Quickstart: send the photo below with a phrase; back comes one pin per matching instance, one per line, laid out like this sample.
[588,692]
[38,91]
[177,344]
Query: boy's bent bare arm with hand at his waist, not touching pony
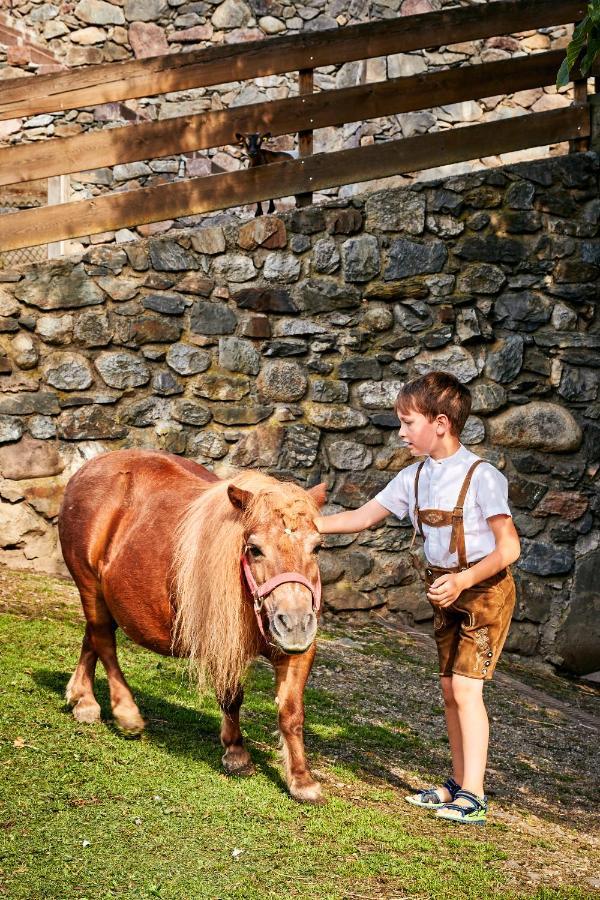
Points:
[446,589]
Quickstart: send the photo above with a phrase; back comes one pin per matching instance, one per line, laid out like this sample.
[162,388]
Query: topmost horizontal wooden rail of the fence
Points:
[109,82]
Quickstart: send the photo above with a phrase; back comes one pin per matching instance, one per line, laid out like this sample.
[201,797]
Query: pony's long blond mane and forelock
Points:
[214,623]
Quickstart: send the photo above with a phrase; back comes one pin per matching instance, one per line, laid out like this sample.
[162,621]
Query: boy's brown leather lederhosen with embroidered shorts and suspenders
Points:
[470,633]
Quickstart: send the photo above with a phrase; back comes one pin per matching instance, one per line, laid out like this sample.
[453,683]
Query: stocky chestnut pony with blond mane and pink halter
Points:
[162,548]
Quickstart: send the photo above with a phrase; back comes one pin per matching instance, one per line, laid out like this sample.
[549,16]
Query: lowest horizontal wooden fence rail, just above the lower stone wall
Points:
[324,170]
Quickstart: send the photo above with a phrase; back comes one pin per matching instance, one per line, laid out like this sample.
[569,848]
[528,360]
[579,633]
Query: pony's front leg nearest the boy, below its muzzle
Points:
[291,675]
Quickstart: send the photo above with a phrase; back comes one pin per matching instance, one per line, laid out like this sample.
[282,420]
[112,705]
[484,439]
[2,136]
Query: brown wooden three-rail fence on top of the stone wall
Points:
[302,114]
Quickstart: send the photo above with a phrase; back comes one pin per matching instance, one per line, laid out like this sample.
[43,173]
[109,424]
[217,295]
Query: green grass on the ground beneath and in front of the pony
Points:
[86,813]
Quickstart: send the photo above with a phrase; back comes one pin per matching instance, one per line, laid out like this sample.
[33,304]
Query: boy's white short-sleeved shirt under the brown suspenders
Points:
[439,486]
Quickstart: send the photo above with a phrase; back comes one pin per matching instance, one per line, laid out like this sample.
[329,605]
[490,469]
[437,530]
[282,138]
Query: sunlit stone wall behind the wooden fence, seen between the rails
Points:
[94,31]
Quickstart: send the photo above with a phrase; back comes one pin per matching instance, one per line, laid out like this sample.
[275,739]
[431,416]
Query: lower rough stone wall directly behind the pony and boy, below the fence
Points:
[281,343]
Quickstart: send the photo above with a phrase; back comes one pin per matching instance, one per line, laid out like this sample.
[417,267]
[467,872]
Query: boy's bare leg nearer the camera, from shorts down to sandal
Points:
[474,730]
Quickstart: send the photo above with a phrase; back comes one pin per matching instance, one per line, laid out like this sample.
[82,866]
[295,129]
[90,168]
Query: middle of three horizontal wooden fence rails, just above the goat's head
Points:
[184,134]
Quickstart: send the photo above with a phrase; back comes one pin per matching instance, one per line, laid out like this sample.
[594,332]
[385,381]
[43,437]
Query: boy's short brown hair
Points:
[435,394]
